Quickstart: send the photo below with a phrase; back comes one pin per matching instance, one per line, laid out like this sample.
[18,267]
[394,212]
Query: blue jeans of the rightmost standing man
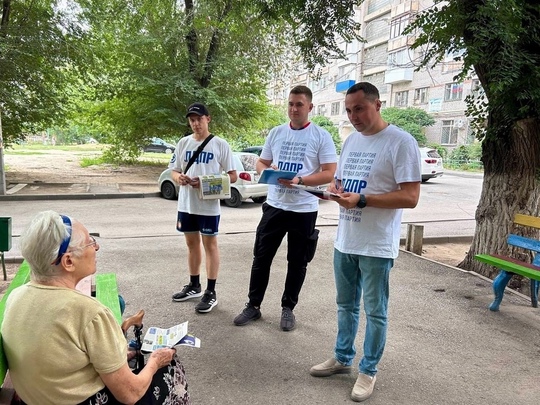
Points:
[355,275]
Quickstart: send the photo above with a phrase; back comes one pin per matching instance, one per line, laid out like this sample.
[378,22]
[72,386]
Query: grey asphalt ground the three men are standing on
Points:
[444,346]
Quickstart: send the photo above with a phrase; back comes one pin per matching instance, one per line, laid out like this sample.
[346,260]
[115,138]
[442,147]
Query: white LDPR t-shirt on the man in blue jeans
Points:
[375,164]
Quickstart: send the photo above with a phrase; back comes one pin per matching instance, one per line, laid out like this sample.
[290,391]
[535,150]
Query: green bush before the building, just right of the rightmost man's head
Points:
[413,120]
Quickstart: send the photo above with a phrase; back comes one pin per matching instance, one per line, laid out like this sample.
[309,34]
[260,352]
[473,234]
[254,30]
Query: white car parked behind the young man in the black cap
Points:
[245,187]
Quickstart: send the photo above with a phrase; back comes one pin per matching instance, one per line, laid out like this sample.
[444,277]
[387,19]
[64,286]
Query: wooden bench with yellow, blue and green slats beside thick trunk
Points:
[509,266]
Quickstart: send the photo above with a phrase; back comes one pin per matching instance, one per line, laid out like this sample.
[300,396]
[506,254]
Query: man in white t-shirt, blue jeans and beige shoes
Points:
[378,175]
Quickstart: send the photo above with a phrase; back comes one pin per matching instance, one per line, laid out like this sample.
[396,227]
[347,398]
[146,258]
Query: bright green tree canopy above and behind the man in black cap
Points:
[123,71]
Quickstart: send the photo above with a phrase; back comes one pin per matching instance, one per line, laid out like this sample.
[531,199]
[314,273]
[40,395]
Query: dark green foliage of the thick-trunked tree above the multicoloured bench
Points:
[500,40]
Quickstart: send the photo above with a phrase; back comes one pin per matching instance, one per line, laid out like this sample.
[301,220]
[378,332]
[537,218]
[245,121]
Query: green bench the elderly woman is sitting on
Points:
[106,290]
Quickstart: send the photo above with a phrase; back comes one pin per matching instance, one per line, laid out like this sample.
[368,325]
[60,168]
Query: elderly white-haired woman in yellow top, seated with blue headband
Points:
[64,347]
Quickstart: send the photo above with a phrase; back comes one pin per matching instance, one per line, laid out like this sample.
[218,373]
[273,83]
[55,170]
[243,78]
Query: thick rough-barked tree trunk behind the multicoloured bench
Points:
[511,185]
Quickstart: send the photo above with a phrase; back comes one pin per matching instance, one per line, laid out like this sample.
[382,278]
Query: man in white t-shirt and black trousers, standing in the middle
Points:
[308,150]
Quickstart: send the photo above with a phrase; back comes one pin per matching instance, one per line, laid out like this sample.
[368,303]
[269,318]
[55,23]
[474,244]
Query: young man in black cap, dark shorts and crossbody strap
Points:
[198,219]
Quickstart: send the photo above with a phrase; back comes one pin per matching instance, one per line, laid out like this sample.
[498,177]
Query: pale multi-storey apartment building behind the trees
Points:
[387,61]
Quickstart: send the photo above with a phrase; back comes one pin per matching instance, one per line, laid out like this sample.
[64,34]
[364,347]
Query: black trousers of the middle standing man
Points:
[301,241]
